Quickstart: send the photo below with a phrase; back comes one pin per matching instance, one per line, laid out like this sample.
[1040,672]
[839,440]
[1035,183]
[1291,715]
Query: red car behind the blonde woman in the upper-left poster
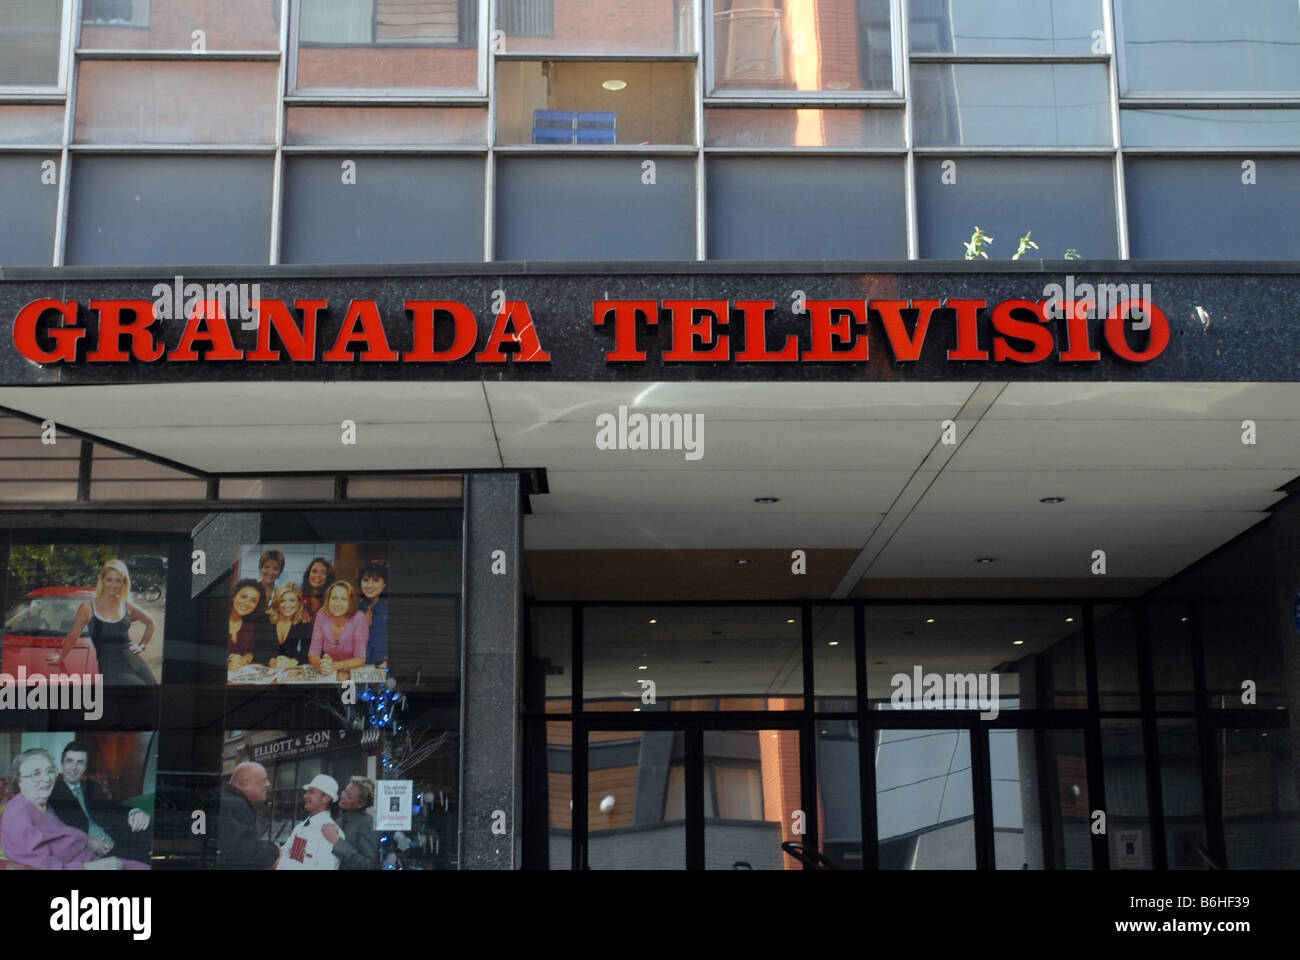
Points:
[37,626]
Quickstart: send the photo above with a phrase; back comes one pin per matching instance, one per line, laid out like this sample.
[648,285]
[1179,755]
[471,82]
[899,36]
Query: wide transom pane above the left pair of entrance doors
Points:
[713,658]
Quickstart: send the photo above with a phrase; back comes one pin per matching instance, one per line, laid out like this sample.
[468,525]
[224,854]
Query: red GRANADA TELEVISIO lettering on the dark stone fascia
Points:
[709,331]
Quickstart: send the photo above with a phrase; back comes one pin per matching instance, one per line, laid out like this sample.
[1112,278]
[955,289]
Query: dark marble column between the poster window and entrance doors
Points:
[492,681]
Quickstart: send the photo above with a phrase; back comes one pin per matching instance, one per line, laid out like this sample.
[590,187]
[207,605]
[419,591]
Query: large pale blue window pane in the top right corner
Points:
[1208,47]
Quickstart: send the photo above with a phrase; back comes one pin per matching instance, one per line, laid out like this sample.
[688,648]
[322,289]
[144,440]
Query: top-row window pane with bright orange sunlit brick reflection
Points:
[803,46]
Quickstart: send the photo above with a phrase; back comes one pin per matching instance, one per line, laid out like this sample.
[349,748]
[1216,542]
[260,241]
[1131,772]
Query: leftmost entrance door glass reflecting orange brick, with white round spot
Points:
[636,802]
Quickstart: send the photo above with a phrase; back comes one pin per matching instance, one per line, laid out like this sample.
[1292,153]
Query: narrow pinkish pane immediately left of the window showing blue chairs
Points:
[415,127]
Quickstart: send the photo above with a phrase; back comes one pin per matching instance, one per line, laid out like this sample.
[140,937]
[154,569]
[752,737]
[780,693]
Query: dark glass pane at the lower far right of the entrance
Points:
[1259,803]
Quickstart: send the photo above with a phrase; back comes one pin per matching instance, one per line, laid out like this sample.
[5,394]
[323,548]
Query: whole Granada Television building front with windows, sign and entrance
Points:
[661,435]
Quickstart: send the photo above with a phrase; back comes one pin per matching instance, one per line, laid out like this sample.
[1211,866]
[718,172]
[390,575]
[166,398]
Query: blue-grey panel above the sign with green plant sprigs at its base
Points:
[1065,202]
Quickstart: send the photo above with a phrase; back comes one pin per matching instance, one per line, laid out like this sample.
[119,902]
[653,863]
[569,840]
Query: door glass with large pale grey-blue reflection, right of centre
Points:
[925,811]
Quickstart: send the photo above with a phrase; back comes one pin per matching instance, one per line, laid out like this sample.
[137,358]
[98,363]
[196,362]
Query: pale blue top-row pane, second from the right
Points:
[1003,27]
